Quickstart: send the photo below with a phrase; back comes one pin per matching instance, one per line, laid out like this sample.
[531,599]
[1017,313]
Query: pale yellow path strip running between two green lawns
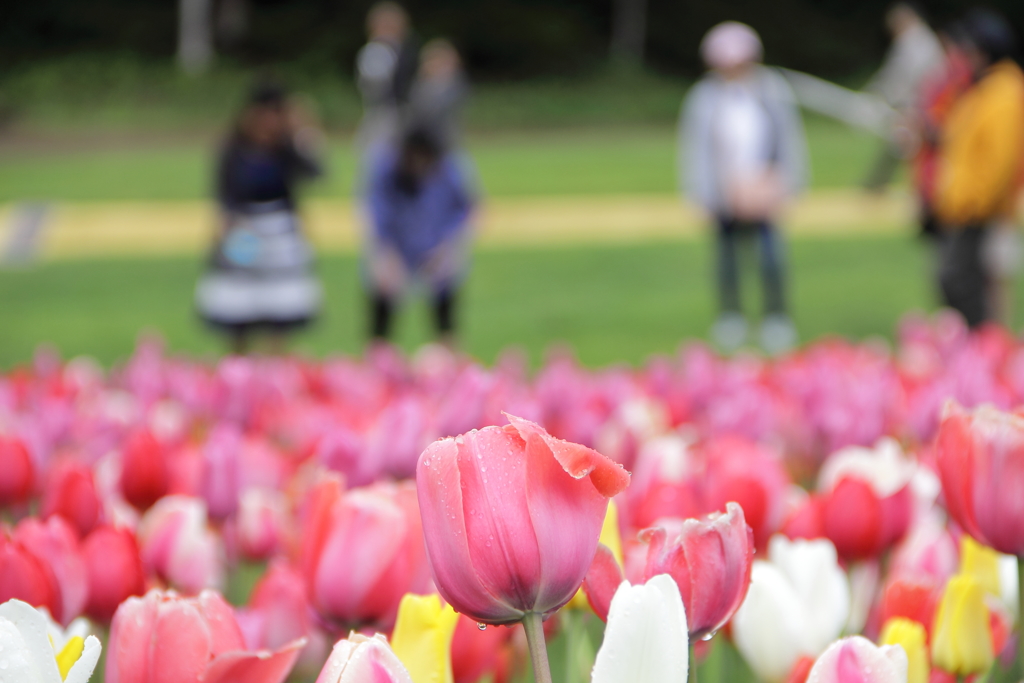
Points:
[82,230]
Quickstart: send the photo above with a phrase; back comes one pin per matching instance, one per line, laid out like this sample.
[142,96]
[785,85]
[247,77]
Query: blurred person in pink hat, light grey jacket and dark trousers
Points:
[743,157]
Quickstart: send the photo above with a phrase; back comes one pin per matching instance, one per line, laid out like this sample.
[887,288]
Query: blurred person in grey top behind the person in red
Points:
[915,55]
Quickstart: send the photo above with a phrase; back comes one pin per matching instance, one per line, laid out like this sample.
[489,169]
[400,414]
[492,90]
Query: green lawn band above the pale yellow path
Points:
[600,160]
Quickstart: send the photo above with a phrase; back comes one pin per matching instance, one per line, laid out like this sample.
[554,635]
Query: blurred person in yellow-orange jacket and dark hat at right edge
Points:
[980,164]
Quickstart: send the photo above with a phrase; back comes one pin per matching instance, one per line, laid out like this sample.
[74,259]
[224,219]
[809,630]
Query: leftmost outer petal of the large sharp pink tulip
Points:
[440,491]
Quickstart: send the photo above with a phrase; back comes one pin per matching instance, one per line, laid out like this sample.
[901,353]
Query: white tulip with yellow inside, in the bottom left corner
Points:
[28,656]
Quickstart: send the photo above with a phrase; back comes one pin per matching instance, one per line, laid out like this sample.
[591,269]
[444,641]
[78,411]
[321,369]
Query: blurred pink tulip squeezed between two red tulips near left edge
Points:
[56,544]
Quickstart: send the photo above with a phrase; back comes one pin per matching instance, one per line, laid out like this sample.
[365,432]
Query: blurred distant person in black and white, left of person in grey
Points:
[387,69]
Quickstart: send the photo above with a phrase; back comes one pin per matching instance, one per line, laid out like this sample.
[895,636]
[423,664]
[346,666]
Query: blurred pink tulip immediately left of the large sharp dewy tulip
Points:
[363,550]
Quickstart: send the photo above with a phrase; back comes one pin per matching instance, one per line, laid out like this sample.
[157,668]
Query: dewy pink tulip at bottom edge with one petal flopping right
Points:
[163,638]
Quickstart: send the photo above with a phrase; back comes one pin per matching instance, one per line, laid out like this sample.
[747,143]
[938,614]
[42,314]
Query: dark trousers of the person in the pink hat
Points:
[732,235]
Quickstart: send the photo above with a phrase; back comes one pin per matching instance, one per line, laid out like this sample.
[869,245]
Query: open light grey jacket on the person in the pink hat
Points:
[699,169]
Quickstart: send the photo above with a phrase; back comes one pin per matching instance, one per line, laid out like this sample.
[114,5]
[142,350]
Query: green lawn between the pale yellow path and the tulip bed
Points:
[612,304]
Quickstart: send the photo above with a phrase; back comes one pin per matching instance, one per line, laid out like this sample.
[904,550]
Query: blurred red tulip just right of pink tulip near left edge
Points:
[114,569]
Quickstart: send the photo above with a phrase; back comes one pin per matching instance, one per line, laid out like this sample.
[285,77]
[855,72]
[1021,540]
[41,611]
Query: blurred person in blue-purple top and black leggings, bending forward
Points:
[420,202]
